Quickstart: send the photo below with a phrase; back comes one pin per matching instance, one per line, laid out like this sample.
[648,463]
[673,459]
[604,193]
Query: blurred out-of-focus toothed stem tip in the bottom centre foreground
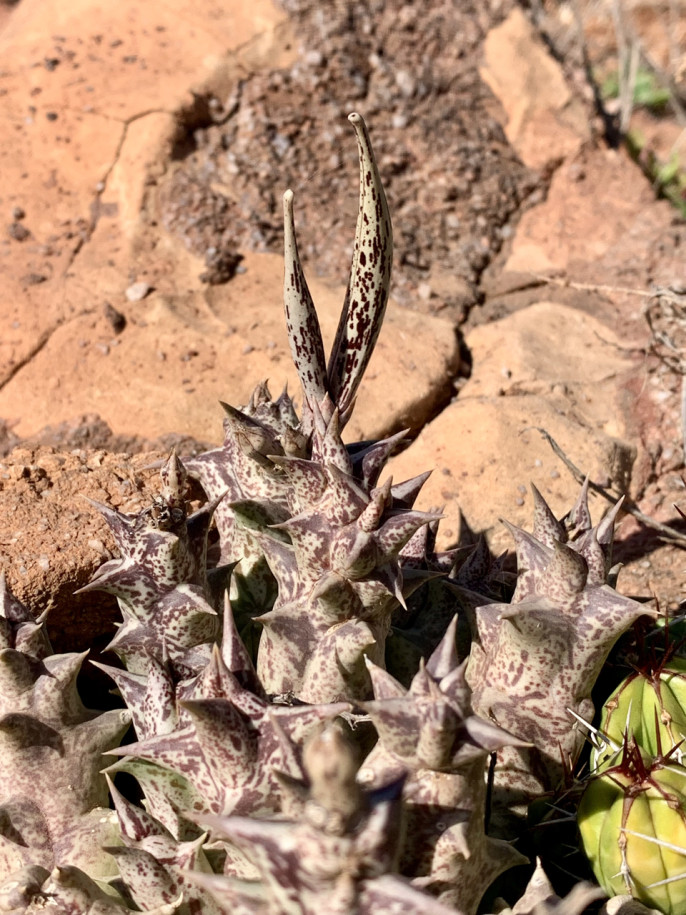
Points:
[336,857]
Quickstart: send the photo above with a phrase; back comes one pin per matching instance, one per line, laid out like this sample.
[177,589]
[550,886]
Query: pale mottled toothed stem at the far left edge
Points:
[53,801]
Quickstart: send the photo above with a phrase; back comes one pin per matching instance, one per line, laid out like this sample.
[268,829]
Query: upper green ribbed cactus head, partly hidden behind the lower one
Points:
[649,707]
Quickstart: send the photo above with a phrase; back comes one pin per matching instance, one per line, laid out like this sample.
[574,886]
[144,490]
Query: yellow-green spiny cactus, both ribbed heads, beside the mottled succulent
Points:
[632,817]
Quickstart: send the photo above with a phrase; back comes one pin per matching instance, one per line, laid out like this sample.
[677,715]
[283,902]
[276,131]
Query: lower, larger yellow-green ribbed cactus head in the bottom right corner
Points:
[632,820]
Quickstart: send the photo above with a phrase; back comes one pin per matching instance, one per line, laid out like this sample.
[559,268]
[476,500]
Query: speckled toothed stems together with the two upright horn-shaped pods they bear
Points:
[331,537]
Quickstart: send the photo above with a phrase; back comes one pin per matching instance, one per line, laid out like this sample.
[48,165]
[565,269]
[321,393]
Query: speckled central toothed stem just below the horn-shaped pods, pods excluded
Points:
[339,581]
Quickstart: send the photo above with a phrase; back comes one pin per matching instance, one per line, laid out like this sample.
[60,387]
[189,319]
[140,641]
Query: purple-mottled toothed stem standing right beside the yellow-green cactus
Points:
[534,661]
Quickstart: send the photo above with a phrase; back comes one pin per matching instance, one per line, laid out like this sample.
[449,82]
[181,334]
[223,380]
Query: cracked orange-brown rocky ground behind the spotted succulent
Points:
[141,170]
